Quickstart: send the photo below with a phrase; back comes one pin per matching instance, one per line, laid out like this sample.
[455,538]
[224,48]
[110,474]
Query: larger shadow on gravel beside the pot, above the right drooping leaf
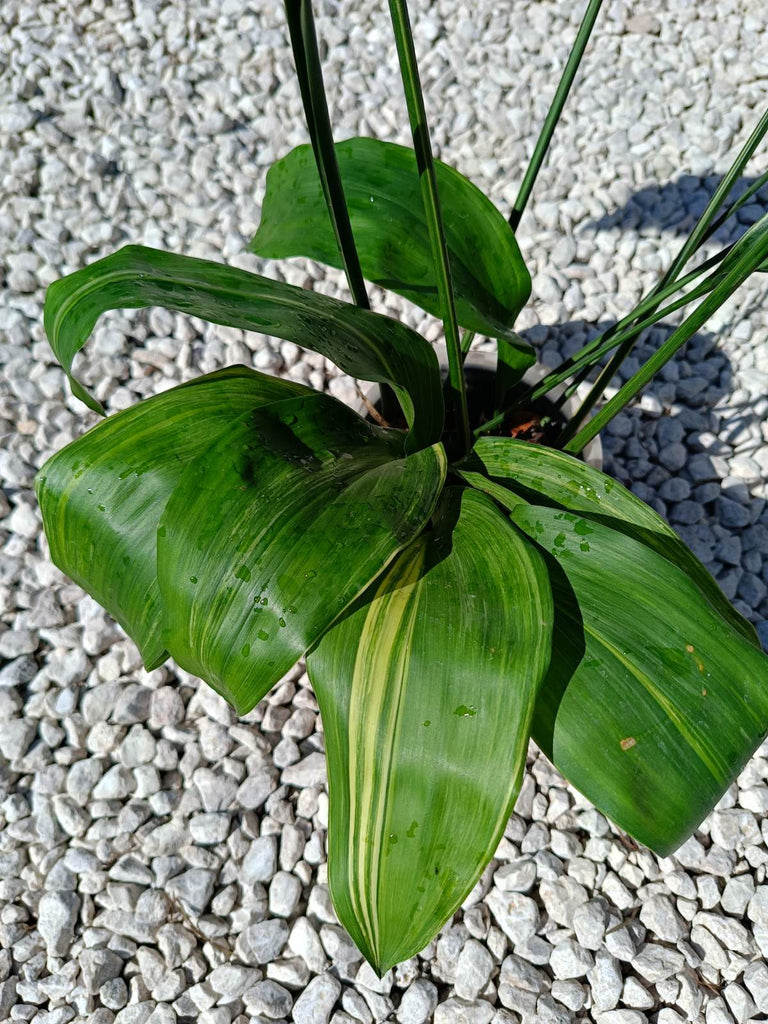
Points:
[690,450]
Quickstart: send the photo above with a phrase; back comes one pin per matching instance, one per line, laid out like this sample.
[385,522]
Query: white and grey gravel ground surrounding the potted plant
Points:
[162,861]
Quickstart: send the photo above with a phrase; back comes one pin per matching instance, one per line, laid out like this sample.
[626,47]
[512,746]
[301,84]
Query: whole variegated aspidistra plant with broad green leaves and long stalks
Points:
[455,590]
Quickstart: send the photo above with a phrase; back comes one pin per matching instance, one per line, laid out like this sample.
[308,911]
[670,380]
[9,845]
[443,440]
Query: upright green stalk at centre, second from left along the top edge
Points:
[423,148]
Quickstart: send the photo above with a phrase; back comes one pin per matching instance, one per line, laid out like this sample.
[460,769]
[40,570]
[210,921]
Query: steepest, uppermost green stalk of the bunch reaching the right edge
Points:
[699,236]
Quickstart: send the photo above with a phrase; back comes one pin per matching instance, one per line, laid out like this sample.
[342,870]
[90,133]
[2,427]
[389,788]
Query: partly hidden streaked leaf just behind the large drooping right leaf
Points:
[536,473]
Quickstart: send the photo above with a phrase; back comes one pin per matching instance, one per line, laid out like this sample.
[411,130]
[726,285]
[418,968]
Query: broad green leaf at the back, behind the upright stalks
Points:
[381,184]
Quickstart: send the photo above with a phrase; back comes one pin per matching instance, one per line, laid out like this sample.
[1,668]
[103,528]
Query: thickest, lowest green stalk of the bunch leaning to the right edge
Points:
[748,255]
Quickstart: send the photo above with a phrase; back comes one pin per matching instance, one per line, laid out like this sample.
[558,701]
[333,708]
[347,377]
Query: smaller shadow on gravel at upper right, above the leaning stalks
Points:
[676,207]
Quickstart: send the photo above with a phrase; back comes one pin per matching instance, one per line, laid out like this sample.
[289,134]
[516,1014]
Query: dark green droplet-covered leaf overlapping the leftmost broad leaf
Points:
[276,529]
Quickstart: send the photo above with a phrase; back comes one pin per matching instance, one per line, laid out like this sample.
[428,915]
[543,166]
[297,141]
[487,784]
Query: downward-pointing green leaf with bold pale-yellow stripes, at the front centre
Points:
[426,690]
